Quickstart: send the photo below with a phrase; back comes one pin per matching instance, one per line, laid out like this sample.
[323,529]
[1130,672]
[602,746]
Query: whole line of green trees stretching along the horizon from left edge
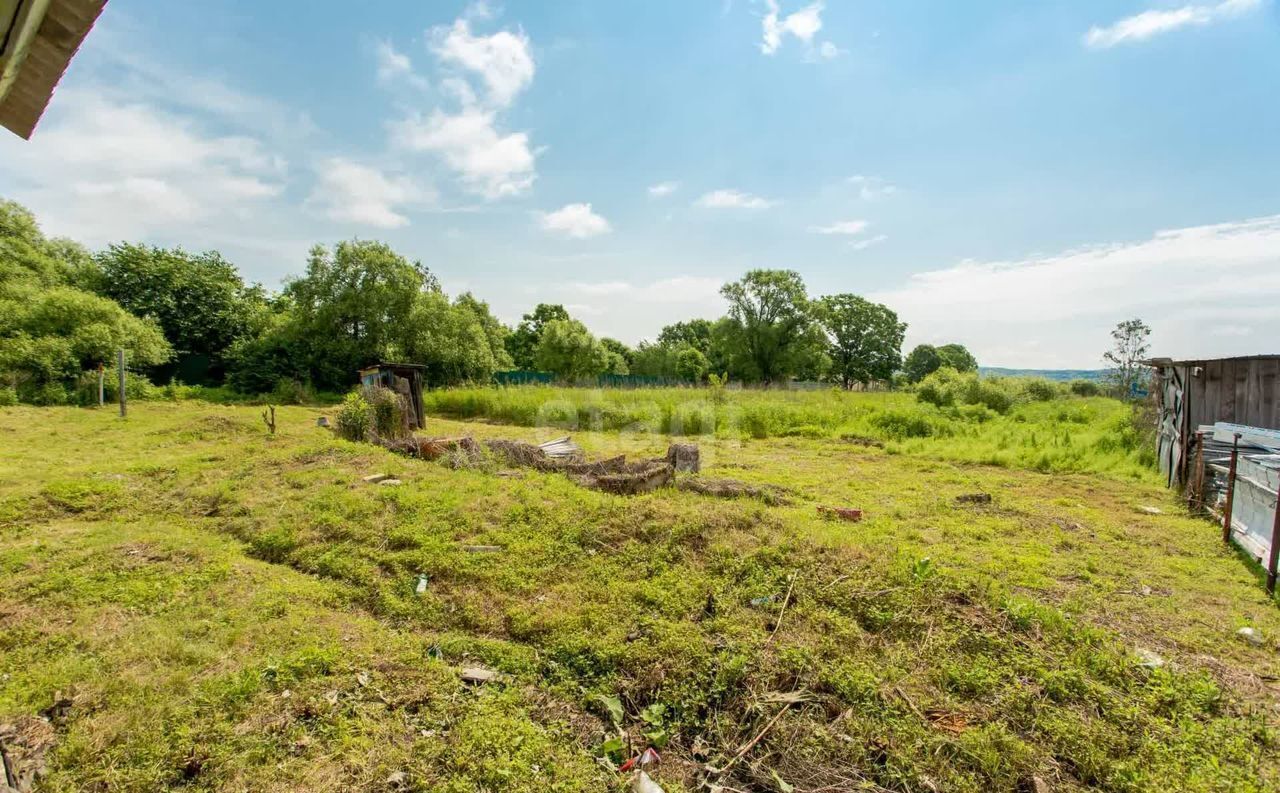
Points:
[190,317]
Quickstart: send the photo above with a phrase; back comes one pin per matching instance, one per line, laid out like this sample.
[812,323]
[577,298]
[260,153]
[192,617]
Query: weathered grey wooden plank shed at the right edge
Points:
[1192,393]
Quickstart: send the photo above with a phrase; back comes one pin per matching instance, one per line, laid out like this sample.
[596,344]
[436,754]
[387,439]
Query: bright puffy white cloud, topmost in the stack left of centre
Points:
[501,61]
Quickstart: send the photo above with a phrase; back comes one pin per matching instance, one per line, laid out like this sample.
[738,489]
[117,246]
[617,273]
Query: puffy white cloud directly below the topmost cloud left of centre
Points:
[490,163]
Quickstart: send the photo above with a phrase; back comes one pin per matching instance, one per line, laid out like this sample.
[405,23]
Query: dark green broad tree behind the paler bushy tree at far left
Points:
[199,300]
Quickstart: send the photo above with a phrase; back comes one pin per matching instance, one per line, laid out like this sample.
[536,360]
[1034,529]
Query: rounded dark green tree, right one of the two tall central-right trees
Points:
[865,340]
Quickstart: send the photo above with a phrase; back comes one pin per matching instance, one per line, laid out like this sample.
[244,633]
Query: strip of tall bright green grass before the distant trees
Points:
[1063,434]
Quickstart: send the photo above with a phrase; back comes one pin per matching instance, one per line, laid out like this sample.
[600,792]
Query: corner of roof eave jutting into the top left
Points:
[38,43]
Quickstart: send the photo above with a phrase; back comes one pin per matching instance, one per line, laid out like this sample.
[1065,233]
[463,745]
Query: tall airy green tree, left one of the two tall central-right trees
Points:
[770,333]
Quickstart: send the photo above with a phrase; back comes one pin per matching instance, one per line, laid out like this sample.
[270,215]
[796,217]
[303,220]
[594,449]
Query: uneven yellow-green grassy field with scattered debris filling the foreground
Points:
[199,606]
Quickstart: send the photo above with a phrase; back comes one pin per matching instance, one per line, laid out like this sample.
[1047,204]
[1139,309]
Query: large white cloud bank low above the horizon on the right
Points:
[1058,310]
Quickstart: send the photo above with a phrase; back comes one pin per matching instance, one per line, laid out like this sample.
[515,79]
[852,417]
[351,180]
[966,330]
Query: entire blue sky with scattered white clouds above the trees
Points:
[1017,177]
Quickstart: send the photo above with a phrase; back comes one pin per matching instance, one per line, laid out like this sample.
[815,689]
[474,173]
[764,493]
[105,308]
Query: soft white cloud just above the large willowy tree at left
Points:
[348,191]
